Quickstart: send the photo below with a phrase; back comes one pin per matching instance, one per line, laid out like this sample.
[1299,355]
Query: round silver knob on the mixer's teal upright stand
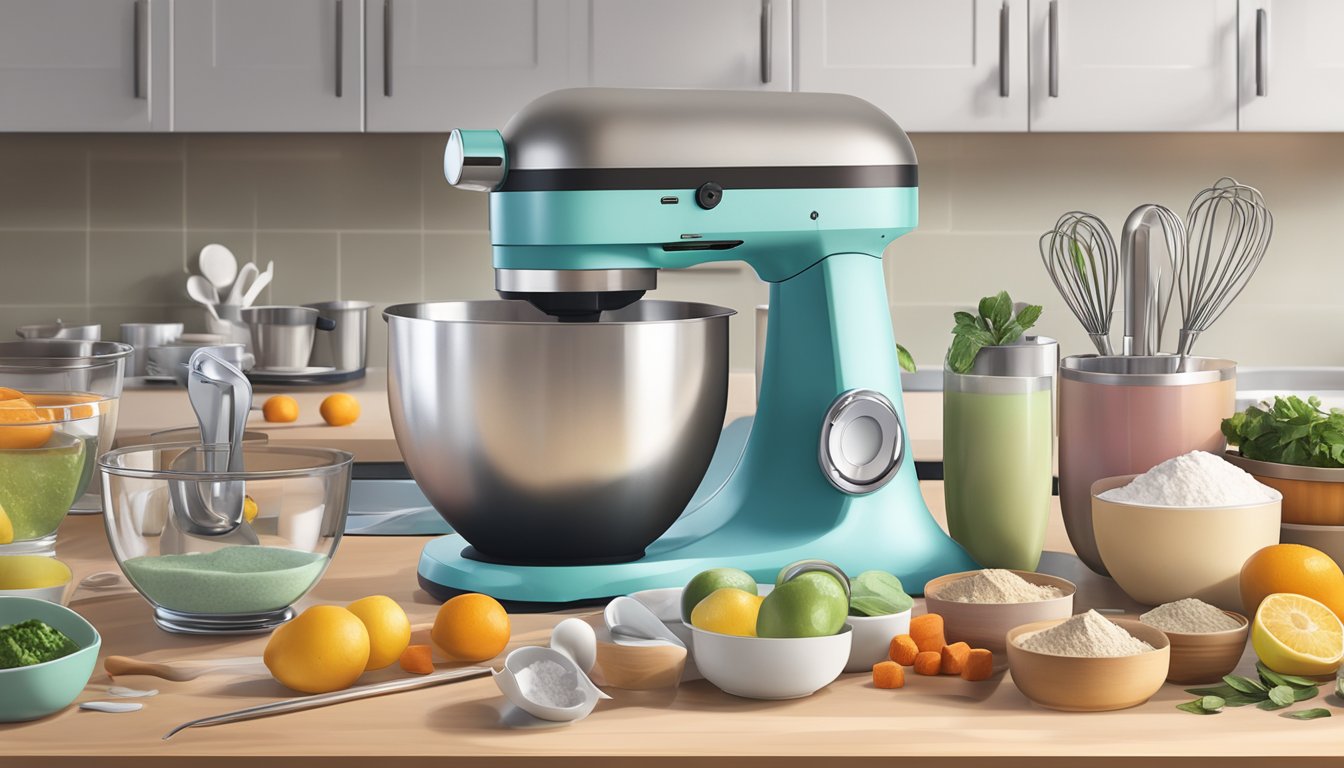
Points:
[862,442]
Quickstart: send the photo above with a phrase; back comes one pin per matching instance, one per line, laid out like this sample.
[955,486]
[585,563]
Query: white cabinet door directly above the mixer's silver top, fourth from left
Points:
[690,44]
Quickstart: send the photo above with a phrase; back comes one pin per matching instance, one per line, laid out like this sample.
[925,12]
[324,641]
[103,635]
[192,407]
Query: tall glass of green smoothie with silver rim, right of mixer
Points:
[998,453]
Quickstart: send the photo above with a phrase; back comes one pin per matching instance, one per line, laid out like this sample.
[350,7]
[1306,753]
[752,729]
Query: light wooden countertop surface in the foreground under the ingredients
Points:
[932,722]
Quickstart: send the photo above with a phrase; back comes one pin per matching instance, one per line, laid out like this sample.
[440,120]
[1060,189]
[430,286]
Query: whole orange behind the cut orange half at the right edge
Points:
[1296,570]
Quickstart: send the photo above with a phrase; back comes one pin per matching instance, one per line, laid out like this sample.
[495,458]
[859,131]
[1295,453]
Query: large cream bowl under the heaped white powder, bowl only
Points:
[1162,555]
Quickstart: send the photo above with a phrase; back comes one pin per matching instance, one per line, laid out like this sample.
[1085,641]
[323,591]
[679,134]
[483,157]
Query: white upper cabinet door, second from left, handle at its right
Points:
[268,65]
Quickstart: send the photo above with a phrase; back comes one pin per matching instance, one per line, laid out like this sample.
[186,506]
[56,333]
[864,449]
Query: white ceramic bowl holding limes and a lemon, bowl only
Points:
[771,668]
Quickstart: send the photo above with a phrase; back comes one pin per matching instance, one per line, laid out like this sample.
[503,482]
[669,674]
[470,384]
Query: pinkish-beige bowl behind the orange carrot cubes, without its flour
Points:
[986,625]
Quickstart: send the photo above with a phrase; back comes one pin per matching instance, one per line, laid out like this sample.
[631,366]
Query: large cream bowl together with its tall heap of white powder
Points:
[1183,529]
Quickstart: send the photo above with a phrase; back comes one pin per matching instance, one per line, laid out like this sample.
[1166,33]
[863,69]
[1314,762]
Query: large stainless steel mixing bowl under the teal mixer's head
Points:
[558,443]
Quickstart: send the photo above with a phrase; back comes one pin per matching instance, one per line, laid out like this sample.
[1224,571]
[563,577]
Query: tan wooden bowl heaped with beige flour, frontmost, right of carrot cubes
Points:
[1089,662]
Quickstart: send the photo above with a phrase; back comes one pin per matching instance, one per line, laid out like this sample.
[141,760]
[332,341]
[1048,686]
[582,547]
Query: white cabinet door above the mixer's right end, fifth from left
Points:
[932,65]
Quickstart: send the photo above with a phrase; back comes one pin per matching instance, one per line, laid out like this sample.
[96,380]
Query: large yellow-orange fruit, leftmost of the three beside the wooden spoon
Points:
[325,649]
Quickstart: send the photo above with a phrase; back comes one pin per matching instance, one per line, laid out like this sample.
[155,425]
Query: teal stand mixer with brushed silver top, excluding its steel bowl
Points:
[596,190]
